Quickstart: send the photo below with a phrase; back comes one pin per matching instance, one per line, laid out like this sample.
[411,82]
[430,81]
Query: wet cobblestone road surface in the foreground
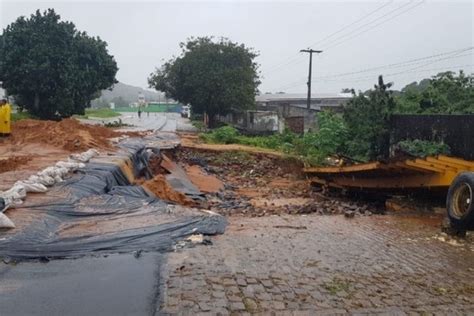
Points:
[318,265]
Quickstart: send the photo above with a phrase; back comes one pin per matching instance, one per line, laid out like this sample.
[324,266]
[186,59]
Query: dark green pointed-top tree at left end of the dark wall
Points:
[367,118]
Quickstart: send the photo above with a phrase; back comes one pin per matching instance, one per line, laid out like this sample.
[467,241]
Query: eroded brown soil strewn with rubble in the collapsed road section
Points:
[257,184]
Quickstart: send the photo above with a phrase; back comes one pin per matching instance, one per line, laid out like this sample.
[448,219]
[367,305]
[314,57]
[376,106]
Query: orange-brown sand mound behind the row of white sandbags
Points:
[68,134]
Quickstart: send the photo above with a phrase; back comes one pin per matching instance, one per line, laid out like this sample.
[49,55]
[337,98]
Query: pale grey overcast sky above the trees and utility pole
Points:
[355,36]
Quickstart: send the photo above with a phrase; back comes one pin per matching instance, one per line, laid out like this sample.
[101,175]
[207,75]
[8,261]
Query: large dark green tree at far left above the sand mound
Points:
[52,69]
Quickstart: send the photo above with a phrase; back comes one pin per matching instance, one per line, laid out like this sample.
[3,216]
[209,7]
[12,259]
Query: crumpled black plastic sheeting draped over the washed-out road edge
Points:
[98,196]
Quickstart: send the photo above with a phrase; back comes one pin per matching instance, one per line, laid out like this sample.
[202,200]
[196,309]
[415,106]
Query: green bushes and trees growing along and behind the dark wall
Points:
[361,133]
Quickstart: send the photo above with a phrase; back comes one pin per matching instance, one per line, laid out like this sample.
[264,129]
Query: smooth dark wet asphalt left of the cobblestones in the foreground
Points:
[113,285]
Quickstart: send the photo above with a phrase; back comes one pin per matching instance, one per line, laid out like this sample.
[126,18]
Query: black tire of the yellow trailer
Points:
[459,202]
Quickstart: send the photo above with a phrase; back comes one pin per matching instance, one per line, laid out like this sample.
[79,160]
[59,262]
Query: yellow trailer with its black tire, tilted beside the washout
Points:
[454,175]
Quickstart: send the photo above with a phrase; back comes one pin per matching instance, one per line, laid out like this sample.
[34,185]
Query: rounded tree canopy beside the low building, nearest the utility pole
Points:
[215,77]
